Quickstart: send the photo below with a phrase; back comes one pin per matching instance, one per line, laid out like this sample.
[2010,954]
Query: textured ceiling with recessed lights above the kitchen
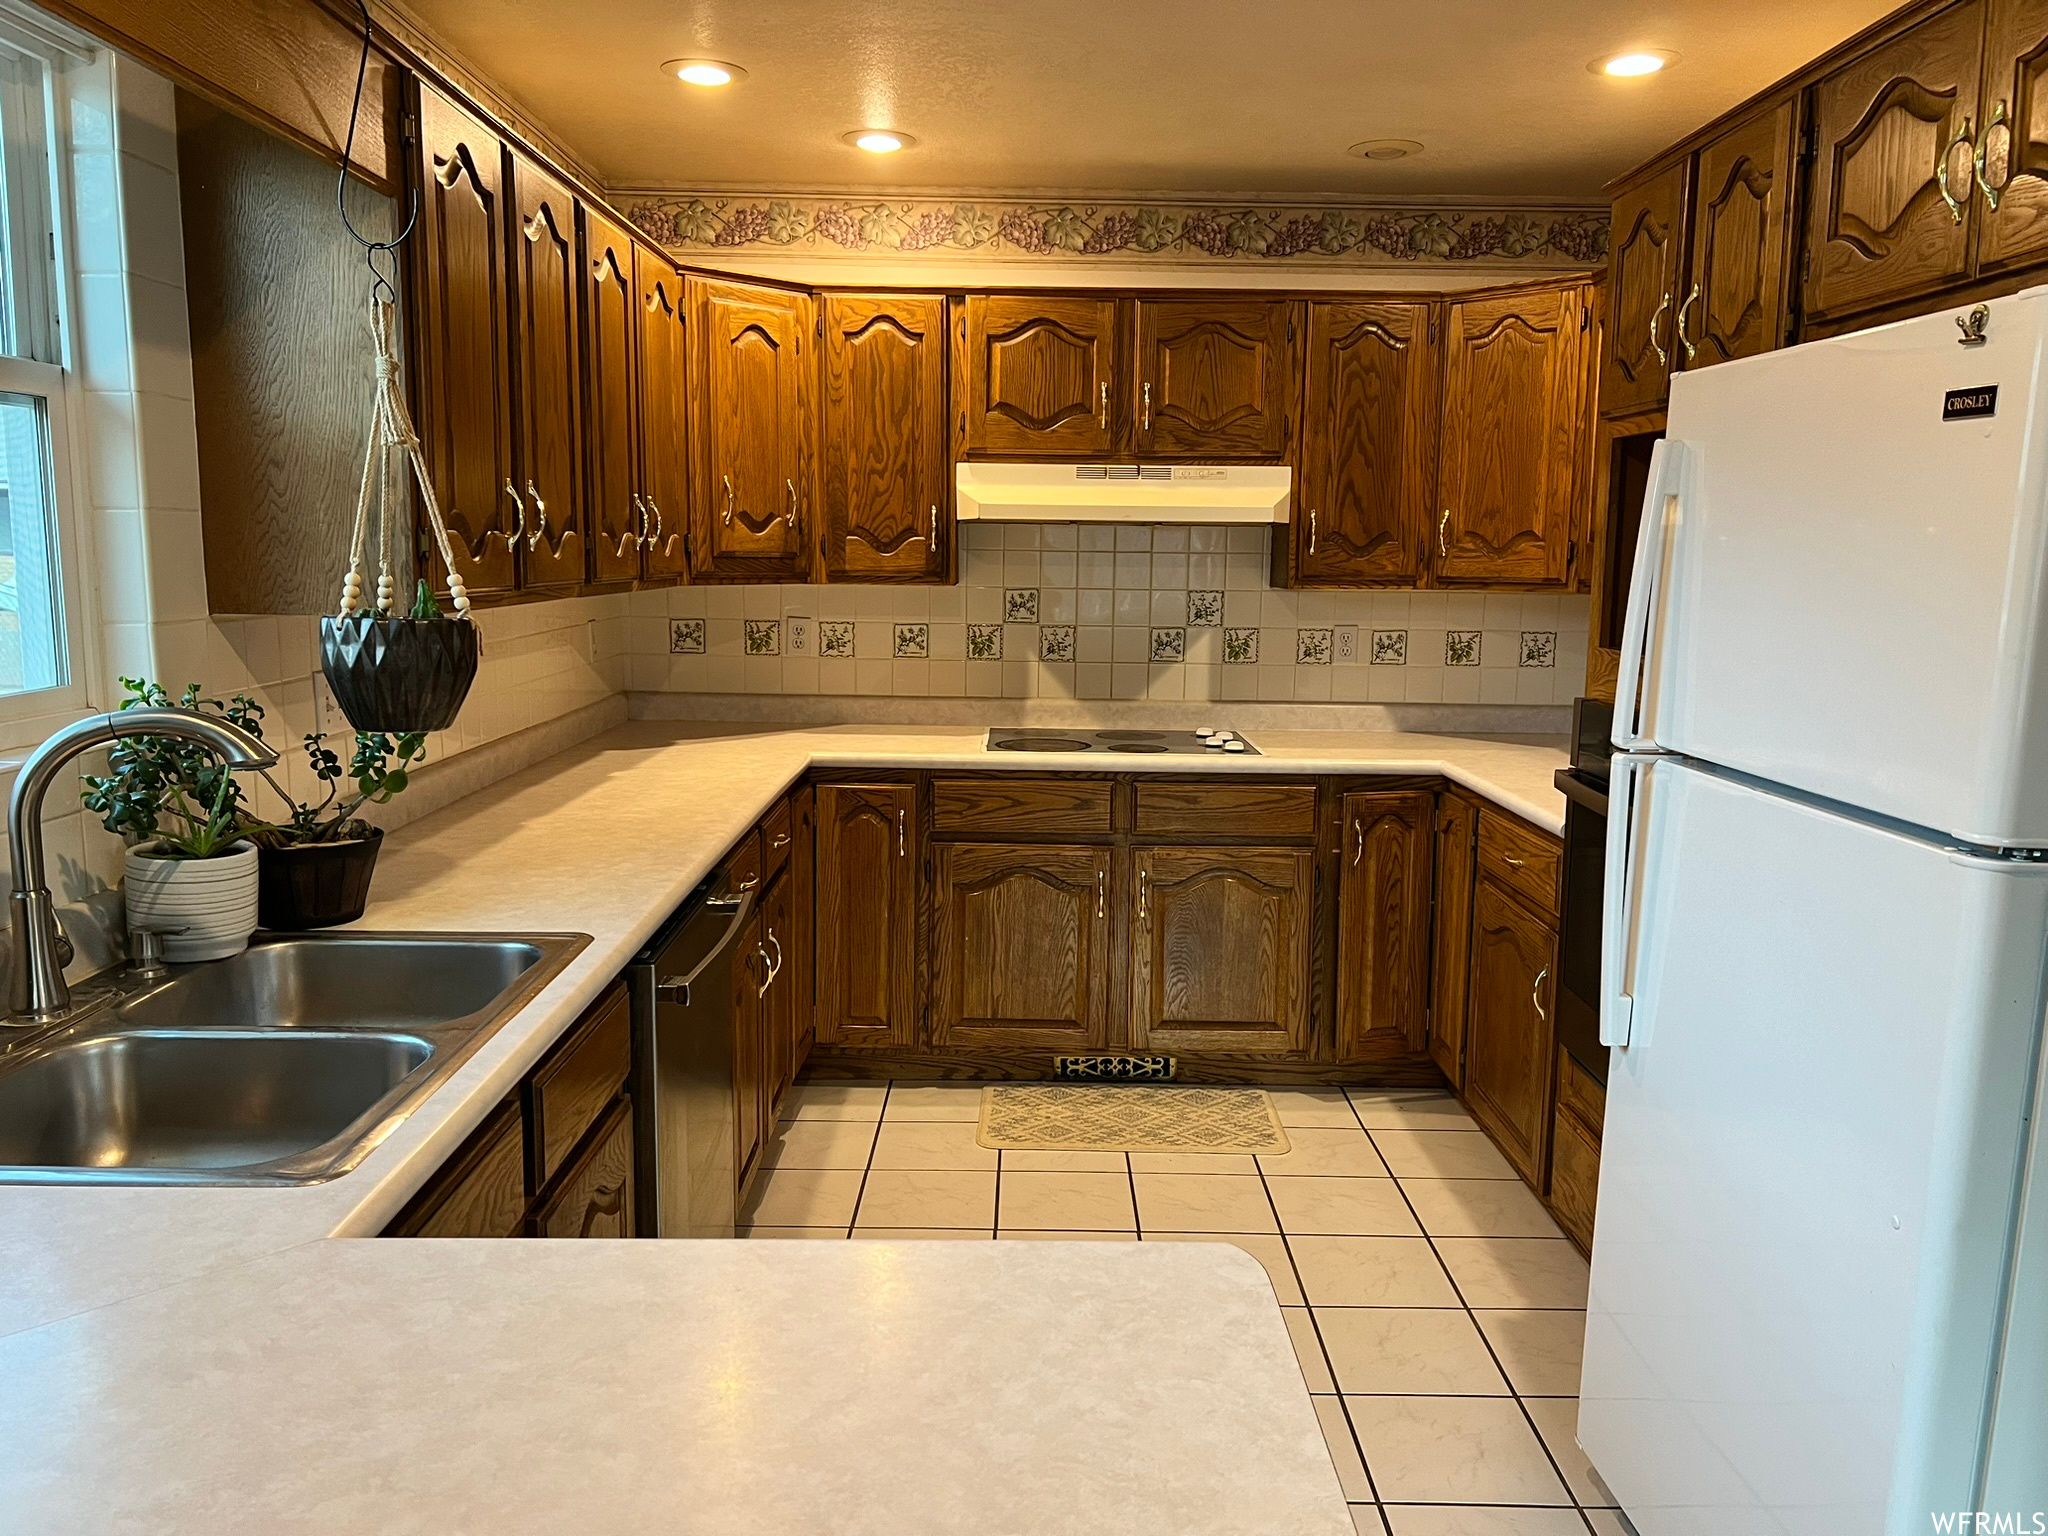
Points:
[1134,95]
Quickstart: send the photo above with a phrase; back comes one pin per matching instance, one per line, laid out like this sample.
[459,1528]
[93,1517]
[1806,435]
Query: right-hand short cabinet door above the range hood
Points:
[1215,378]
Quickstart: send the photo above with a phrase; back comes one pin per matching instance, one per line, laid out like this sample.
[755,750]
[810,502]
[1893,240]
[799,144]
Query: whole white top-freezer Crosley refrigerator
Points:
[1820,1293]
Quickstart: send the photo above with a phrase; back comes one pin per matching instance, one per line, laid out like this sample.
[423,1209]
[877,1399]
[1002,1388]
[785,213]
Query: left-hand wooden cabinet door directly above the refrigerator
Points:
[1891,181]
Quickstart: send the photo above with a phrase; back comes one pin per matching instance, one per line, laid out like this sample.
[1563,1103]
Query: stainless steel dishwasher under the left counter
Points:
[683,1064]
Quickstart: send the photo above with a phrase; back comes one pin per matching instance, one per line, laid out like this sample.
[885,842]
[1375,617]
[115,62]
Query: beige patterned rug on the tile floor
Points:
[1097,1117]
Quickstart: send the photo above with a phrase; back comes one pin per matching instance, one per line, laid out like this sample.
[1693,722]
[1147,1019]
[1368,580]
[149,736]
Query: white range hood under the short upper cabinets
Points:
[1207,495]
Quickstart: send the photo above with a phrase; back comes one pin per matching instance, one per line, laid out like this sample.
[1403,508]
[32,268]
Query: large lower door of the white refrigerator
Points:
[1809,1168]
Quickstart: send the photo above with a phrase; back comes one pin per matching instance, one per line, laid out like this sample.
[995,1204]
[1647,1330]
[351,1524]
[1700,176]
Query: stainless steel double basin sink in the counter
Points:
[286,1064]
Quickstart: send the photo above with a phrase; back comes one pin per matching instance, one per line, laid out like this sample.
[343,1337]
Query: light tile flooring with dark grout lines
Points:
[1437,1310]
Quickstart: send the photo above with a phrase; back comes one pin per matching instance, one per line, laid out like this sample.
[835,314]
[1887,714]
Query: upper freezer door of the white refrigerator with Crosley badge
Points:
[1852,597]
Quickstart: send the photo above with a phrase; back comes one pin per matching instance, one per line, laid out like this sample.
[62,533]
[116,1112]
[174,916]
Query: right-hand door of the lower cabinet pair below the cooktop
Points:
[1220,949]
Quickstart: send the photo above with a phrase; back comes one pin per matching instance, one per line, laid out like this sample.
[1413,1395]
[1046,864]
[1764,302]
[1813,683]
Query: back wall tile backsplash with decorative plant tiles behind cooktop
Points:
[1068,611]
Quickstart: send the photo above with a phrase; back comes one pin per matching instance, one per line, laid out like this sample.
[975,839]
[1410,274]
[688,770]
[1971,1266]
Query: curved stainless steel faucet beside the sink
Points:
[38,992]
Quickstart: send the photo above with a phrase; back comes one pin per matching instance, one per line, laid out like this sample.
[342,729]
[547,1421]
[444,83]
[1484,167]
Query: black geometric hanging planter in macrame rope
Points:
[398,675]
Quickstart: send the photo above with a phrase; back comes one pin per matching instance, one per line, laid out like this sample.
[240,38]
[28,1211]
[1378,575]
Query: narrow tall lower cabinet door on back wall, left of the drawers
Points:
[867,916]
